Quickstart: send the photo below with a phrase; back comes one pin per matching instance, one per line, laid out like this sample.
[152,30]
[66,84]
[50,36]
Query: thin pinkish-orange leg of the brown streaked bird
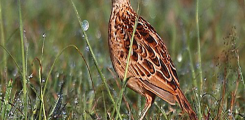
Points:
[149,100]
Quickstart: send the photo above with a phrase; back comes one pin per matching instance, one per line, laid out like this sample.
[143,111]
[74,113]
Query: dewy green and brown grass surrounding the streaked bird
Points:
[65,74]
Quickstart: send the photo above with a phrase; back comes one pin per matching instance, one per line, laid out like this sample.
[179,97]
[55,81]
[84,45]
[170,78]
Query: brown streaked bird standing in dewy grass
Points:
[151,71]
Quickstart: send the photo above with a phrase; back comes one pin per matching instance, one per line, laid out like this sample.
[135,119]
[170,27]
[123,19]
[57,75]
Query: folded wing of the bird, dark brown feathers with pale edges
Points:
[151,62]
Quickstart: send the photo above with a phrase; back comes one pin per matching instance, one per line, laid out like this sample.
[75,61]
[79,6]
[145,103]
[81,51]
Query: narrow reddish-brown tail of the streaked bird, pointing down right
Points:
[185,105]
